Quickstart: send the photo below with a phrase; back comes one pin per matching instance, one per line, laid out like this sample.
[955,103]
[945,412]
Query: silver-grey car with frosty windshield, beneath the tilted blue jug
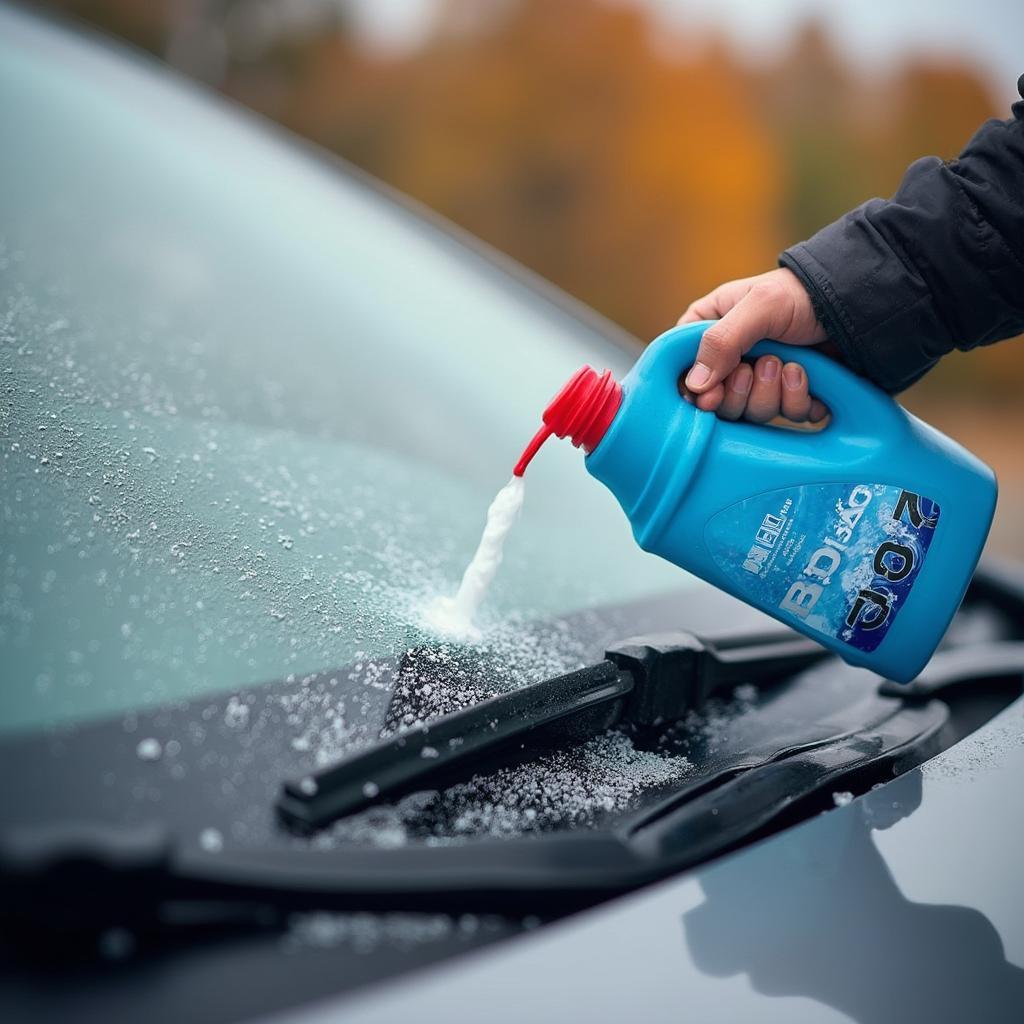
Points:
[254,410]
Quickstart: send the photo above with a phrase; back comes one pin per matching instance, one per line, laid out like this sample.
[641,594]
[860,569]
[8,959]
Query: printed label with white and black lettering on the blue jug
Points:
[840,559]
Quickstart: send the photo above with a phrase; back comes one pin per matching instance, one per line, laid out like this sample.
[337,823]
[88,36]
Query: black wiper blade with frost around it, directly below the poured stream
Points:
[647,682]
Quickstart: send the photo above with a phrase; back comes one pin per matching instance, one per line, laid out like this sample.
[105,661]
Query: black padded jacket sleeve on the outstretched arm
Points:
[900,283]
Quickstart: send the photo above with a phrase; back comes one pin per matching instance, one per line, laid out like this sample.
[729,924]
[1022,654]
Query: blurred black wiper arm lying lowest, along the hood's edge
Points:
[63,885]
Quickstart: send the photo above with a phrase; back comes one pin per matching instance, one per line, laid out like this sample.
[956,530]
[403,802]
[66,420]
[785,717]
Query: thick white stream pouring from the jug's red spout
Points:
[456,616]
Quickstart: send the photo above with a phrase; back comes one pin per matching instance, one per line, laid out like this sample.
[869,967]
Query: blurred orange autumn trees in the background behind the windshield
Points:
[634,167]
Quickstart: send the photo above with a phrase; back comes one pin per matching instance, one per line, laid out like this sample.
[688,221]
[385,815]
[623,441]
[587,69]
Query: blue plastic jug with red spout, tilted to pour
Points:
[864,536]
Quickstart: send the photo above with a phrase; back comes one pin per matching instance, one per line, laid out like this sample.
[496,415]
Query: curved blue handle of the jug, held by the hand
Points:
[854,402]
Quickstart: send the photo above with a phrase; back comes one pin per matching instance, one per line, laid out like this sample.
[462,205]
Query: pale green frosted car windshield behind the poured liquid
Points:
[253,413]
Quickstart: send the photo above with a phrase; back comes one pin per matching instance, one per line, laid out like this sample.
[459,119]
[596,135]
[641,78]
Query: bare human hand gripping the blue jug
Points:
[771,306]
